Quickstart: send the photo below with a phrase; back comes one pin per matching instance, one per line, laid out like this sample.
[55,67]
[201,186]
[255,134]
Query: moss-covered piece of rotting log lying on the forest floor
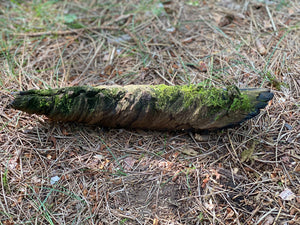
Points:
[159,107]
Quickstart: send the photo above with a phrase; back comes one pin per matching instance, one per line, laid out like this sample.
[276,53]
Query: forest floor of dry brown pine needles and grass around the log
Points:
[116,176]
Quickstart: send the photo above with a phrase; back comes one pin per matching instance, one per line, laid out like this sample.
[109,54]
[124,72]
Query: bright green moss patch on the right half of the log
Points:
[213,99]
